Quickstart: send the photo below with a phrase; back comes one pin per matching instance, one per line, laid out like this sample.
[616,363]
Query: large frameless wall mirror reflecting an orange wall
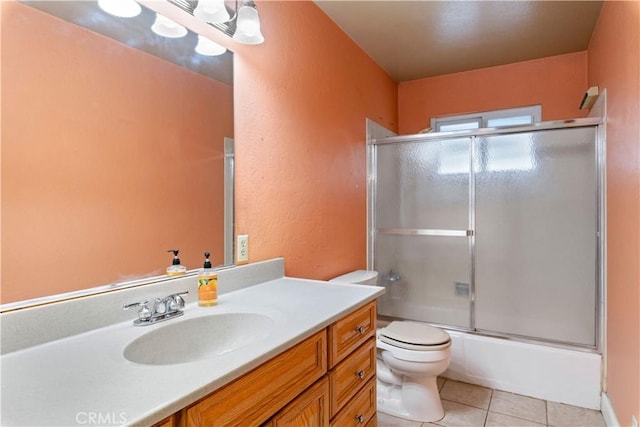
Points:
[113,151]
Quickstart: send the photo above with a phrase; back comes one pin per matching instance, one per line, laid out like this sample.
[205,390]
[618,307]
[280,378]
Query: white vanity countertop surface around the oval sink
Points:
[85,379]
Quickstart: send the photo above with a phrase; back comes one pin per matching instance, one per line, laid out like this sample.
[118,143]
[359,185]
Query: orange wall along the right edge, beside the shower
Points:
[614,55]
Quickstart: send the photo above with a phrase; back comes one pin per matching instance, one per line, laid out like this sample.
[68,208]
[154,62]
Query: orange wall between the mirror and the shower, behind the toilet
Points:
[301,102]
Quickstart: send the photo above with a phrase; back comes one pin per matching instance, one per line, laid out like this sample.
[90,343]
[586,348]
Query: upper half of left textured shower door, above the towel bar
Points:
[423,185]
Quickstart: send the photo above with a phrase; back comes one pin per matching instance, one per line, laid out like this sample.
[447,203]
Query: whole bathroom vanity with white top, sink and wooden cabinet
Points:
[288,352]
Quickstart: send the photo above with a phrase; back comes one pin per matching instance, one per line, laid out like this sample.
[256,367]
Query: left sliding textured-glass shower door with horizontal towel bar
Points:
[421,218]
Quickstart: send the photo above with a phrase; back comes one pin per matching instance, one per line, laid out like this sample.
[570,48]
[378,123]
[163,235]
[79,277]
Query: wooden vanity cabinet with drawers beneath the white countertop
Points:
[329,379]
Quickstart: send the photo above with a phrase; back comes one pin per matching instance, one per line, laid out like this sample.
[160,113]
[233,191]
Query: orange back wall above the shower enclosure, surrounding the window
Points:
[557,83]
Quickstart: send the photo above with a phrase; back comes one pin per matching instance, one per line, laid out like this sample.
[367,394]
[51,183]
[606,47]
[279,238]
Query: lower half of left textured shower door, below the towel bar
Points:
[433,278]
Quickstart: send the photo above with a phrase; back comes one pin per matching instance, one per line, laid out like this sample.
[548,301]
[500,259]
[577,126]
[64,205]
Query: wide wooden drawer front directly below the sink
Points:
[256,396]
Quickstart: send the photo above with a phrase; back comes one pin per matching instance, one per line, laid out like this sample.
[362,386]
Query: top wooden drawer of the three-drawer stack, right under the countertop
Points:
[350,332]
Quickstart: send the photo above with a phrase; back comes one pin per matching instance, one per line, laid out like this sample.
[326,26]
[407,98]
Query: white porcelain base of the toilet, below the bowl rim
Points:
[416,399]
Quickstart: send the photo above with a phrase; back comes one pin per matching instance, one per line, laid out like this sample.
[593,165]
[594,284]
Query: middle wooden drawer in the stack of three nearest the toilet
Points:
[346,379]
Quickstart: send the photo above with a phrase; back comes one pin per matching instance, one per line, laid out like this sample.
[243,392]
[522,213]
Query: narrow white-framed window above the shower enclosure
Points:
[510,117]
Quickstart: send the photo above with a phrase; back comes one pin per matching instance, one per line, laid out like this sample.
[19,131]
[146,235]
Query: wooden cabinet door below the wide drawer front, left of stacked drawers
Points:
[310,409]
